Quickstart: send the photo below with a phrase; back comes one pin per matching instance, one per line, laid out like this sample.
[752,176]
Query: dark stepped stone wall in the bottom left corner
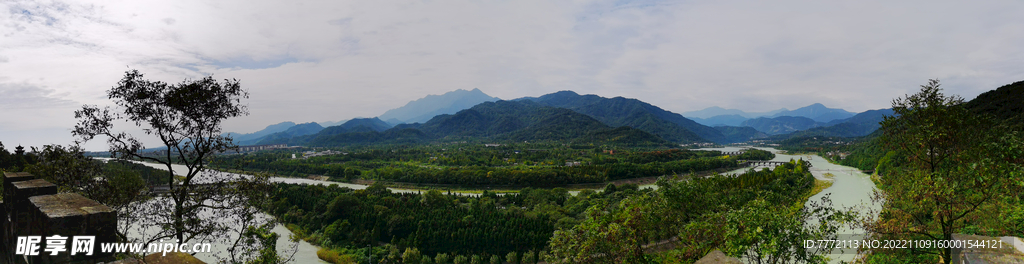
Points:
[33,208]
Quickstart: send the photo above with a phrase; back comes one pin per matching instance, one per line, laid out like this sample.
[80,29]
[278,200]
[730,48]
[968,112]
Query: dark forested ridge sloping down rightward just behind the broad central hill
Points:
[632,113]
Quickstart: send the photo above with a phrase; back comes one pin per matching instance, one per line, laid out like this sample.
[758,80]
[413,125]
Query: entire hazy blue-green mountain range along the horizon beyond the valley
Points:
[564,116]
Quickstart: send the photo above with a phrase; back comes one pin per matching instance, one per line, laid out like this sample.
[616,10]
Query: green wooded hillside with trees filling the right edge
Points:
[944,165]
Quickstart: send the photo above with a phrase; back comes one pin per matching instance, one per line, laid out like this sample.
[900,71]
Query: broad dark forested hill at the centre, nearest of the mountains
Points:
[501,121]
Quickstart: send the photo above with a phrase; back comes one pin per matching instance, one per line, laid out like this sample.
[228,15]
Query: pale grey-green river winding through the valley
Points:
[850,189]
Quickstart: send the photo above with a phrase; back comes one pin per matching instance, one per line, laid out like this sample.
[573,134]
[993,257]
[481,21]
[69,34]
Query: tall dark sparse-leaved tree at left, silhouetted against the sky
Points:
[187,119]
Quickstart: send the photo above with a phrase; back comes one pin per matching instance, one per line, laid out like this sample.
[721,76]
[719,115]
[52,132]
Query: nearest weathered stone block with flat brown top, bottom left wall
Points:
[70,215]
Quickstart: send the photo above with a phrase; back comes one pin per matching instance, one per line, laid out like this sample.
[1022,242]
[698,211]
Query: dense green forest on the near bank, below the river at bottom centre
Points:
[545,225]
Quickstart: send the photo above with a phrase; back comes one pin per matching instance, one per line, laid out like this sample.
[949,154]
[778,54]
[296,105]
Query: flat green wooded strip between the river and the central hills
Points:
[505,165]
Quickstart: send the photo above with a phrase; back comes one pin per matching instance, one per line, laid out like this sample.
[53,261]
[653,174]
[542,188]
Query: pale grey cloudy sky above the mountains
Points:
[333,61]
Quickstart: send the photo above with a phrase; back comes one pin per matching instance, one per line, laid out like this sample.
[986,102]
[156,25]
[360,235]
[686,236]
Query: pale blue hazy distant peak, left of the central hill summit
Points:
[422,110]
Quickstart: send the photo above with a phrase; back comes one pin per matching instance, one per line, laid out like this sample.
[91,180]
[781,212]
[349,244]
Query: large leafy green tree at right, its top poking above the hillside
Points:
[957,165]
